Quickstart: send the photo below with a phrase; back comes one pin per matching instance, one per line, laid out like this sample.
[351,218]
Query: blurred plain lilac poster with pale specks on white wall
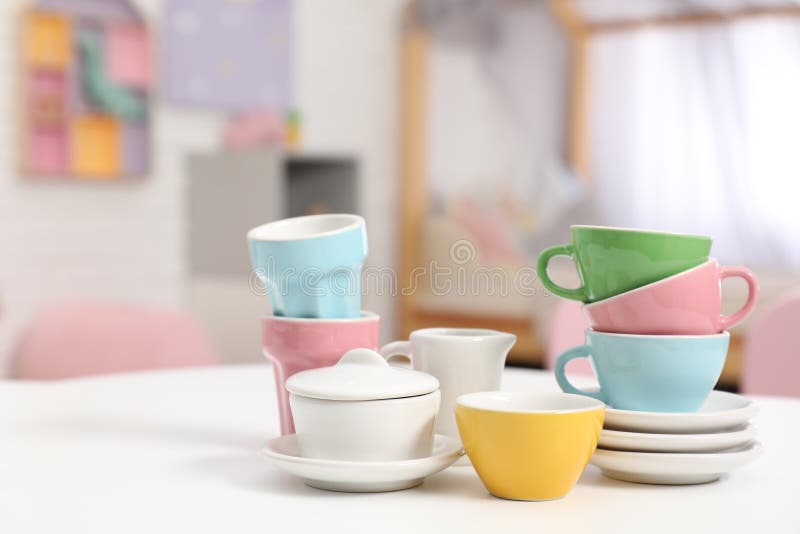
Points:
[228,55]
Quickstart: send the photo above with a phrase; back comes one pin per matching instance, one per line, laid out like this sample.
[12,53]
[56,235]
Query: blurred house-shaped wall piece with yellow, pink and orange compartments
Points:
[86,74]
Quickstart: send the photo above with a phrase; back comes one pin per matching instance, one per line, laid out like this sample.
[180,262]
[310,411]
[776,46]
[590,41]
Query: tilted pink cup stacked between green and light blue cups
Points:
[687,303]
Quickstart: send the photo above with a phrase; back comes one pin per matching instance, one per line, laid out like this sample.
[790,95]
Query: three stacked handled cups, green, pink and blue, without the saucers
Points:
[658,340]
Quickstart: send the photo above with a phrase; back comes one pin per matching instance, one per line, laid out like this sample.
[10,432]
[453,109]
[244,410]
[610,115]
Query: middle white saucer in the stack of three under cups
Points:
[717,441]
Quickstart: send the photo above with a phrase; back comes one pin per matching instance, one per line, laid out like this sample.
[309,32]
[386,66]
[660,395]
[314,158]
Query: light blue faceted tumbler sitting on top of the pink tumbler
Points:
[311,266]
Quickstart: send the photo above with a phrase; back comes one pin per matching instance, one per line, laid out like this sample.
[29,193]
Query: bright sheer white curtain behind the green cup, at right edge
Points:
[697,129]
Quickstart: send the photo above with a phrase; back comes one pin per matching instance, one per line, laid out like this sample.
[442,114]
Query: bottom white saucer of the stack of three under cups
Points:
[673,468]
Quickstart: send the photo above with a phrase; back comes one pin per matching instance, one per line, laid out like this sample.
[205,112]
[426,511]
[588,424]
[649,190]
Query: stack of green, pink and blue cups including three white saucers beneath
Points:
[658,344]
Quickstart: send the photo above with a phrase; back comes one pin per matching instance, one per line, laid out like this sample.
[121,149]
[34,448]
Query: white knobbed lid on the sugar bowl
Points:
[361,374]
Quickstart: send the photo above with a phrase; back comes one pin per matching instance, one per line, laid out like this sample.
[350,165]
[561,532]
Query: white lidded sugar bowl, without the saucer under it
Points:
[361,409]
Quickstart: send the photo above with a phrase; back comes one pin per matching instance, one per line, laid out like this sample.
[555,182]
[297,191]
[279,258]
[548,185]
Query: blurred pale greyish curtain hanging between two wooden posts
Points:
[498,84]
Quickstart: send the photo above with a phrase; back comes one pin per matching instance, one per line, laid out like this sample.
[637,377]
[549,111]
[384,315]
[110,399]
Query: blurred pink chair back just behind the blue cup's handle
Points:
[567,329]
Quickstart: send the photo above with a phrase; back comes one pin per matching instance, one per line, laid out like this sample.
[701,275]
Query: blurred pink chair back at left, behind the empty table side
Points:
[81,338]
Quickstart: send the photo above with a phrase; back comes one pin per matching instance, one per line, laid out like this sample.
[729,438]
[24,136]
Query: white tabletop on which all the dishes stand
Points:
[179,452]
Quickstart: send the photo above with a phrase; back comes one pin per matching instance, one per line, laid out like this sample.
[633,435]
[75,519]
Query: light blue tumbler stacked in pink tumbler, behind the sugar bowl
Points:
[311,271]
